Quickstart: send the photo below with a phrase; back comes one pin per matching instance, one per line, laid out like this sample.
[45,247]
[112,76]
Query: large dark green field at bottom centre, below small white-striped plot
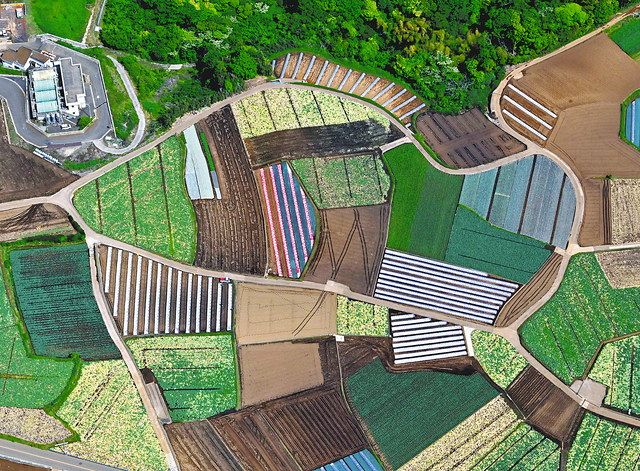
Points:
[407,412]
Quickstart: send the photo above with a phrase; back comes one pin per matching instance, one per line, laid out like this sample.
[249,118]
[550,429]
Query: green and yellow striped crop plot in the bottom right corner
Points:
[601,444]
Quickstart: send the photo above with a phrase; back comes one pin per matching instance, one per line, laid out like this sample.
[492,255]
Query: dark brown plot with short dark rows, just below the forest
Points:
[468,139]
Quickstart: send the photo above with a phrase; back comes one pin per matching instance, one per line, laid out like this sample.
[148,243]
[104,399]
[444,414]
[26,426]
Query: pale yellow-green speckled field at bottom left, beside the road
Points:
[106,411]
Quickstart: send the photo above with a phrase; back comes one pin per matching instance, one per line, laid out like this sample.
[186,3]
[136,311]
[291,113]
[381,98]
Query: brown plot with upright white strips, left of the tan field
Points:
[151,298]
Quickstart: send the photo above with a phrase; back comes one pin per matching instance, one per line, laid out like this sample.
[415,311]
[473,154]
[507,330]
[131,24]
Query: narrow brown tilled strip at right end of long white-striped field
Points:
[527,295]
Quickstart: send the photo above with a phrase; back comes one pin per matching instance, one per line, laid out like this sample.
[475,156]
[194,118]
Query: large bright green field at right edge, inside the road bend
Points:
[585,311]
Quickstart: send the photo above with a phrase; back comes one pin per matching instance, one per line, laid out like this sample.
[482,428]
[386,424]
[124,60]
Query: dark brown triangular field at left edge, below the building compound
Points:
[25,175]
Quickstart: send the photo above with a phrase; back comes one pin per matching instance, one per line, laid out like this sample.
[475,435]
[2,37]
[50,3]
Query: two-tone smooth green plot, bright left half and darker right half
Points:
[423,204]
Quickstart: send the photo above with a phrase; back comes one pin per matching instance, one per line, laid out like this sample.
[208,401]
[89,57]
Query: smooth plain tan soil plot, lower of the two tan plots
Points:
[273,370]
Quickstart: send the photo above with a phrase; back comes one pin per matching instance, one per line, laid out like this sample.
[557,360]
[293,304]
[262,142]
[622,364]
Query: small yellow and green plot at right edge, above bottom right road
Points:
[617,367]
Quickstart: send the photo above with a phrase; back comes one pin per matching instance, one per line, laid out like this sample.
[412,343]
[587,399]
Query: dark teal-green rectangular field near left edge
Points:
[53,288]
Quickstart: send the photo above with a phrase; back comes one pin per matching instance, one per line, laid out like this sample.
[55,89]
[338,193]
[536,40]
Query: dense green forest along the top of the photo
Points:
[450,52]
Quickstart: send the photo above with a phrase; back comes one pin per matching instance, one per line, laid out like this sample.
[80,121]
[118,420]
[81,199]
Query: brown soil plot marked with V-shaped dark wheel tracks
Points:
[350,247]
